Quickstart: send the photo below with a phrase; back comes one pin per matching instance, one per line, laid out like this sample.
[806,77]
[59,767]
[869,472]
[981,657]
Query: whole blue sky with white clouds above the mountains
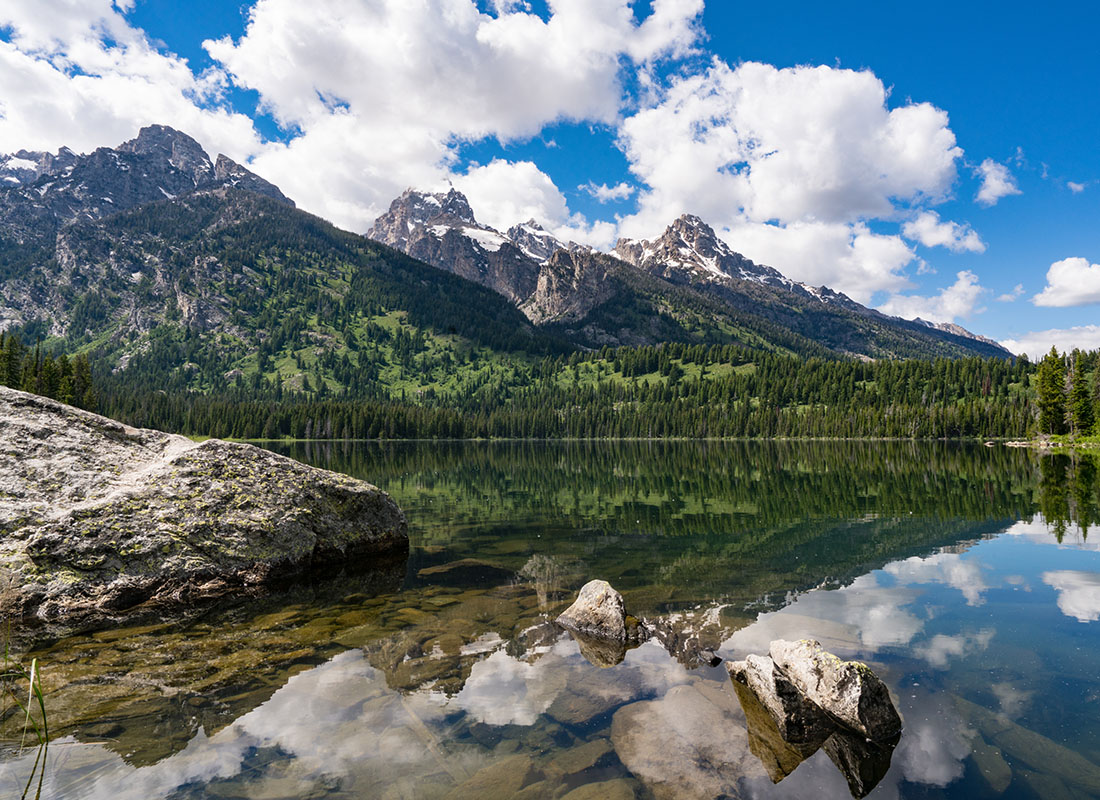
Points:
[843,144]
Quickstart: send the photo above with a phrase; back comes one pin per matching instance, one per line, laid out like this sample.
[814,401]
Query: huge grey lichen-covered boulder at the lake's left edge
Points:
[98,518]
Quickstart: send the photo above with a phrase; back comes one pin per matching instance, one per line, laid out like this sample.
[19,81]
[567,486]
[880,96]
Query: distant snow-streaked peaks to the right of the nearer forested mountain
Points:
[688,275]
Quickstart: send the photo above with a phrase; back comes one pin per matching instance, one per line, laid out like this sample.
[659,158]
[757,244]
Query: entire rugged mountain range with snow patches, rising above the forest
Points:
[178,270]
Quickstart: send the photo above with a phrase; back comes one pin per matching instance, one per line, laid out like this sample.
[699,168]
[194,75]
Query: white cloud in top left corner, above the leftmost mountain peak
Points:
[76,74]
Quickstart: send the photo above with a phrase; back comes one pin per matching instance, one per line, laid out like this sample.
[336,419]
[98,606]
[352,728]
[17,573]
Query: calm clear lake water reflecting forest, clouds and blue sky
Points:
[966,577]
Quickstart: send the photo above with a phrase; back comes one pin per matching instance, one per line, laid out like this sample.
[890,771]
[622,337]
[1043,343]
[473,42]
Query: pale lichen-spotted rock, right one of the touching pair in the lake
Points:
[849,692]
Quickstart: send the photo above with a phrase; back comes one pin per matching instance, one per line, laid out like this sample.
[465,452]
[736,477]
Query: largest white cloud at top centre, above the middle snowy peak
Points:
[388,91]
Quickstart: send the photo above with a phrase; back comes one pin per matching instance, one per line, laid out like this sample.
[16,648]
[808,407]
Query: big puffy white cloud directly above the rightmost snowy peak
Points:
[784,160]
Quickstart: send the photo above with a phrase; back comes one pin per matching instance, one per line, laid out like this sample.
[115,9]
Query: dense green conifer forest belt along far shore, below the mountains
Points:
[690,391]
